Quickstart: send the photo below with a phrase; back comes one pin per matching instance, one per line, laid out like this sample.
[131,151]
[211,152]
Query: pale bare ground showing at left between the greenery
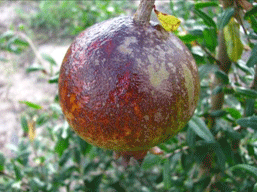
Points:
[18,85]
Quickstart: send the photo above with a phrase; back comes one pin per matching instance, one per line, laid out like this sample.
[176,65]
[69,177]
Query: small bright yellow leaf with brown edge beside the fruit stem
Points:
[169,22]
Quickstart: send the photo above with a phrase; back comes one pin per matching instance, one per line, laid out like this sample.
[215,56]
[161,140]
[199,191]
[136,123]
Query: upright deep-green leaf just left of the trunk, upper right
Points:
[210,38]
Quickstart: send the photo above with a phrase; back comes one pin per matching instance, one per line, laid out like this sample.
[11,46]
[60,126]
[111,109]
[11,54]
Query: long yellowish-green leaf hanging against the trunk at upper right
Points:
[233,41]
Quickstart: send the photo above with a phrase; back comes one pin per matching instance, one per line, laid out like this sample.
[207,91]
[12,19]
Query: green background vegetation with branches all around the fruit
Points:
[216,151]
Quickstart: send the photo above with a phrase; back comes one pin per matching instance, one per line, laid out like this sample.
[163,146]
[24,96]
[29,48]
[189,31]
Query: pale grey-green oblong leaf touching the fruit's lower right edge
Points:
[200,128]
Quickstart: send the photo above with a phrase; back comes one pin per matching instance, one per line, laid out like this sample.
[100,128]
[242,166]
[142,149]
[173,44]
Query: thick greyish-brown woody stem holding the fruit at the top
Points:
[143,13]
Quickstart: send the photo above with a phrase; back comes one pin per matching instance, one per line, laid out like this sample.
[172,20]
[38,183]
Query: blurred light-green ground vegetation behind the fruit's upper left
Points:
[64,18]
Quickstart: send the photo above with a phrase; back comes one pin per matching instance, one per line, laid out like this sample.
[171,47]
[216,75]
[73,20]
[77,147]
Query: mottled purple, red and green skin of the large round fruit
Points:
[126,87]
